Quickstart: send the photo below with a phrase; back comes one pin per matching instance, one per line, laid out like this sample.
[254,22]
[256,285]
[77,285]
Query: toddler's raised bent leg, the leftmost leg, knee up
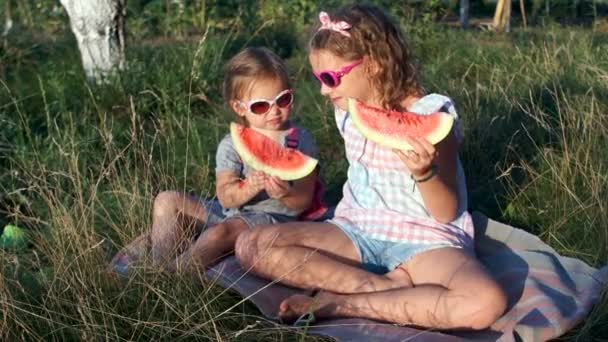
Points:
[175,219]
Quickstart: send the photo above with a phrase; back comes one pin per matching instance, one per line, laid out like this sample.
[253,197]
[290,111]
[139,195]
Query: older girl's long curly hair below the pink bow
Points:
[374,34]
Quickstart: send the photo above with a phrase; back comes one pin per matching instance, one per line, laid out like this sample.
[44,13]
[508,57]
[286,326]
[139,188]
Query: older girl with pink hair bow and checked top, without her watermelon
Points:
[400,247]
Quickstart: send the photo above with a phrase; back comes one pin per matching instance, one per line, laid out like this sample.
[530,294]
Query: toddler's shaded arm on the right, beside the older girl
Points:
[298,196]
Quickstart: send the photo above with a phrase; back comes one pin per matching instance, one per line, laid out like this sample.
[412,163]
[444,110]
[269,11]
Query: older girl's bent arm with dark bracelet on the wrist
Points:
[440,192]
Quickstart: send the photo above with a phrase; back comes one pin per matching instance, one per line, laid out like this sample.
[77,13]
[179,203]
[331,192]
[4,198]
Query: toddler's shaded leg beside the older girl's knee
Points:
[213,243]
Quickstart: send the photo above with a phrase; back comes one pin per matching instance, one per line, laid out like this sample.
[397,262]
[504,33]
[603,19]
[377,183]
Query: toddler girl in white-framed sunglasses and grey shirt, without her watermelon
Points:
[257,88]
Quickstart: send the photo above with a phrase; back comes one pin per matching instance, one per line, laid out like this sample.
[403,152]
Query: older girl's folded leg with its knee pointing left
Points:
[309,255]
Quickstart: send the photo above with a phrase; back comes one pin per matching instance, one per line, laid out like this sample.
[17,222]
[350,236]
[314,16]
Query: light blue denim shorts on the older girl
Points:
[379,256]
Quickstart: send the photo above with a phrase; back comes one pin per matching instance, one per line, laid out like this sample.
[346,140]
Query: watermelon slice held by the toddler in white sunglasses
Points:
[265,154]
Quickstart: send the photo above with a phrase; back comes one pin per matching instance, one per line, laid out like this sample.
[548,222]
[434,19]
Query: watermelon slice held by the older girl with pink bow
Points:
[389,128]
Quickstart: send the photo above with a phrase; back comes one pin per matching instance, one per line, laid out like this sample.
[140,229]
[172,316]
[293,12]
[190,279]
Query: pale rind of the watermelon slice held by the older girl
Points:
[436,135]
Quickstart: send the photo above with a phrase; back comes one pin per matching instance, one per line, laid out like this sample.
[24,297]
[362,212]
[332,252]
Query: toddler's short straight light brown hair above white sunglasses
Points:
[253,63]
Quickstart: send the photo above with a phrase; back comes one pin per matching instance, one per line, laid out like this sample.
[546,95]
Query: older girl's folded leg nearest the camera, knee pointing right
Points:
[451,291]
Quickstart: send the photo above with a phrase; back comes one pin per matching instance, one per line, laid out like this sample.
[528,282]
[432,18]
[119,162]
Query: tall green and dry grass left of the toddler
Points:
[80,168]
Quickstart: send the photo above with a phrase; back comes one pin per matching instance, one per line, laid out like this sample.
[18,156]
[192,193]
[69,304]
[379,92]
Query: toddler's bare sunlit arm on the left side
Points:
[234,192]
